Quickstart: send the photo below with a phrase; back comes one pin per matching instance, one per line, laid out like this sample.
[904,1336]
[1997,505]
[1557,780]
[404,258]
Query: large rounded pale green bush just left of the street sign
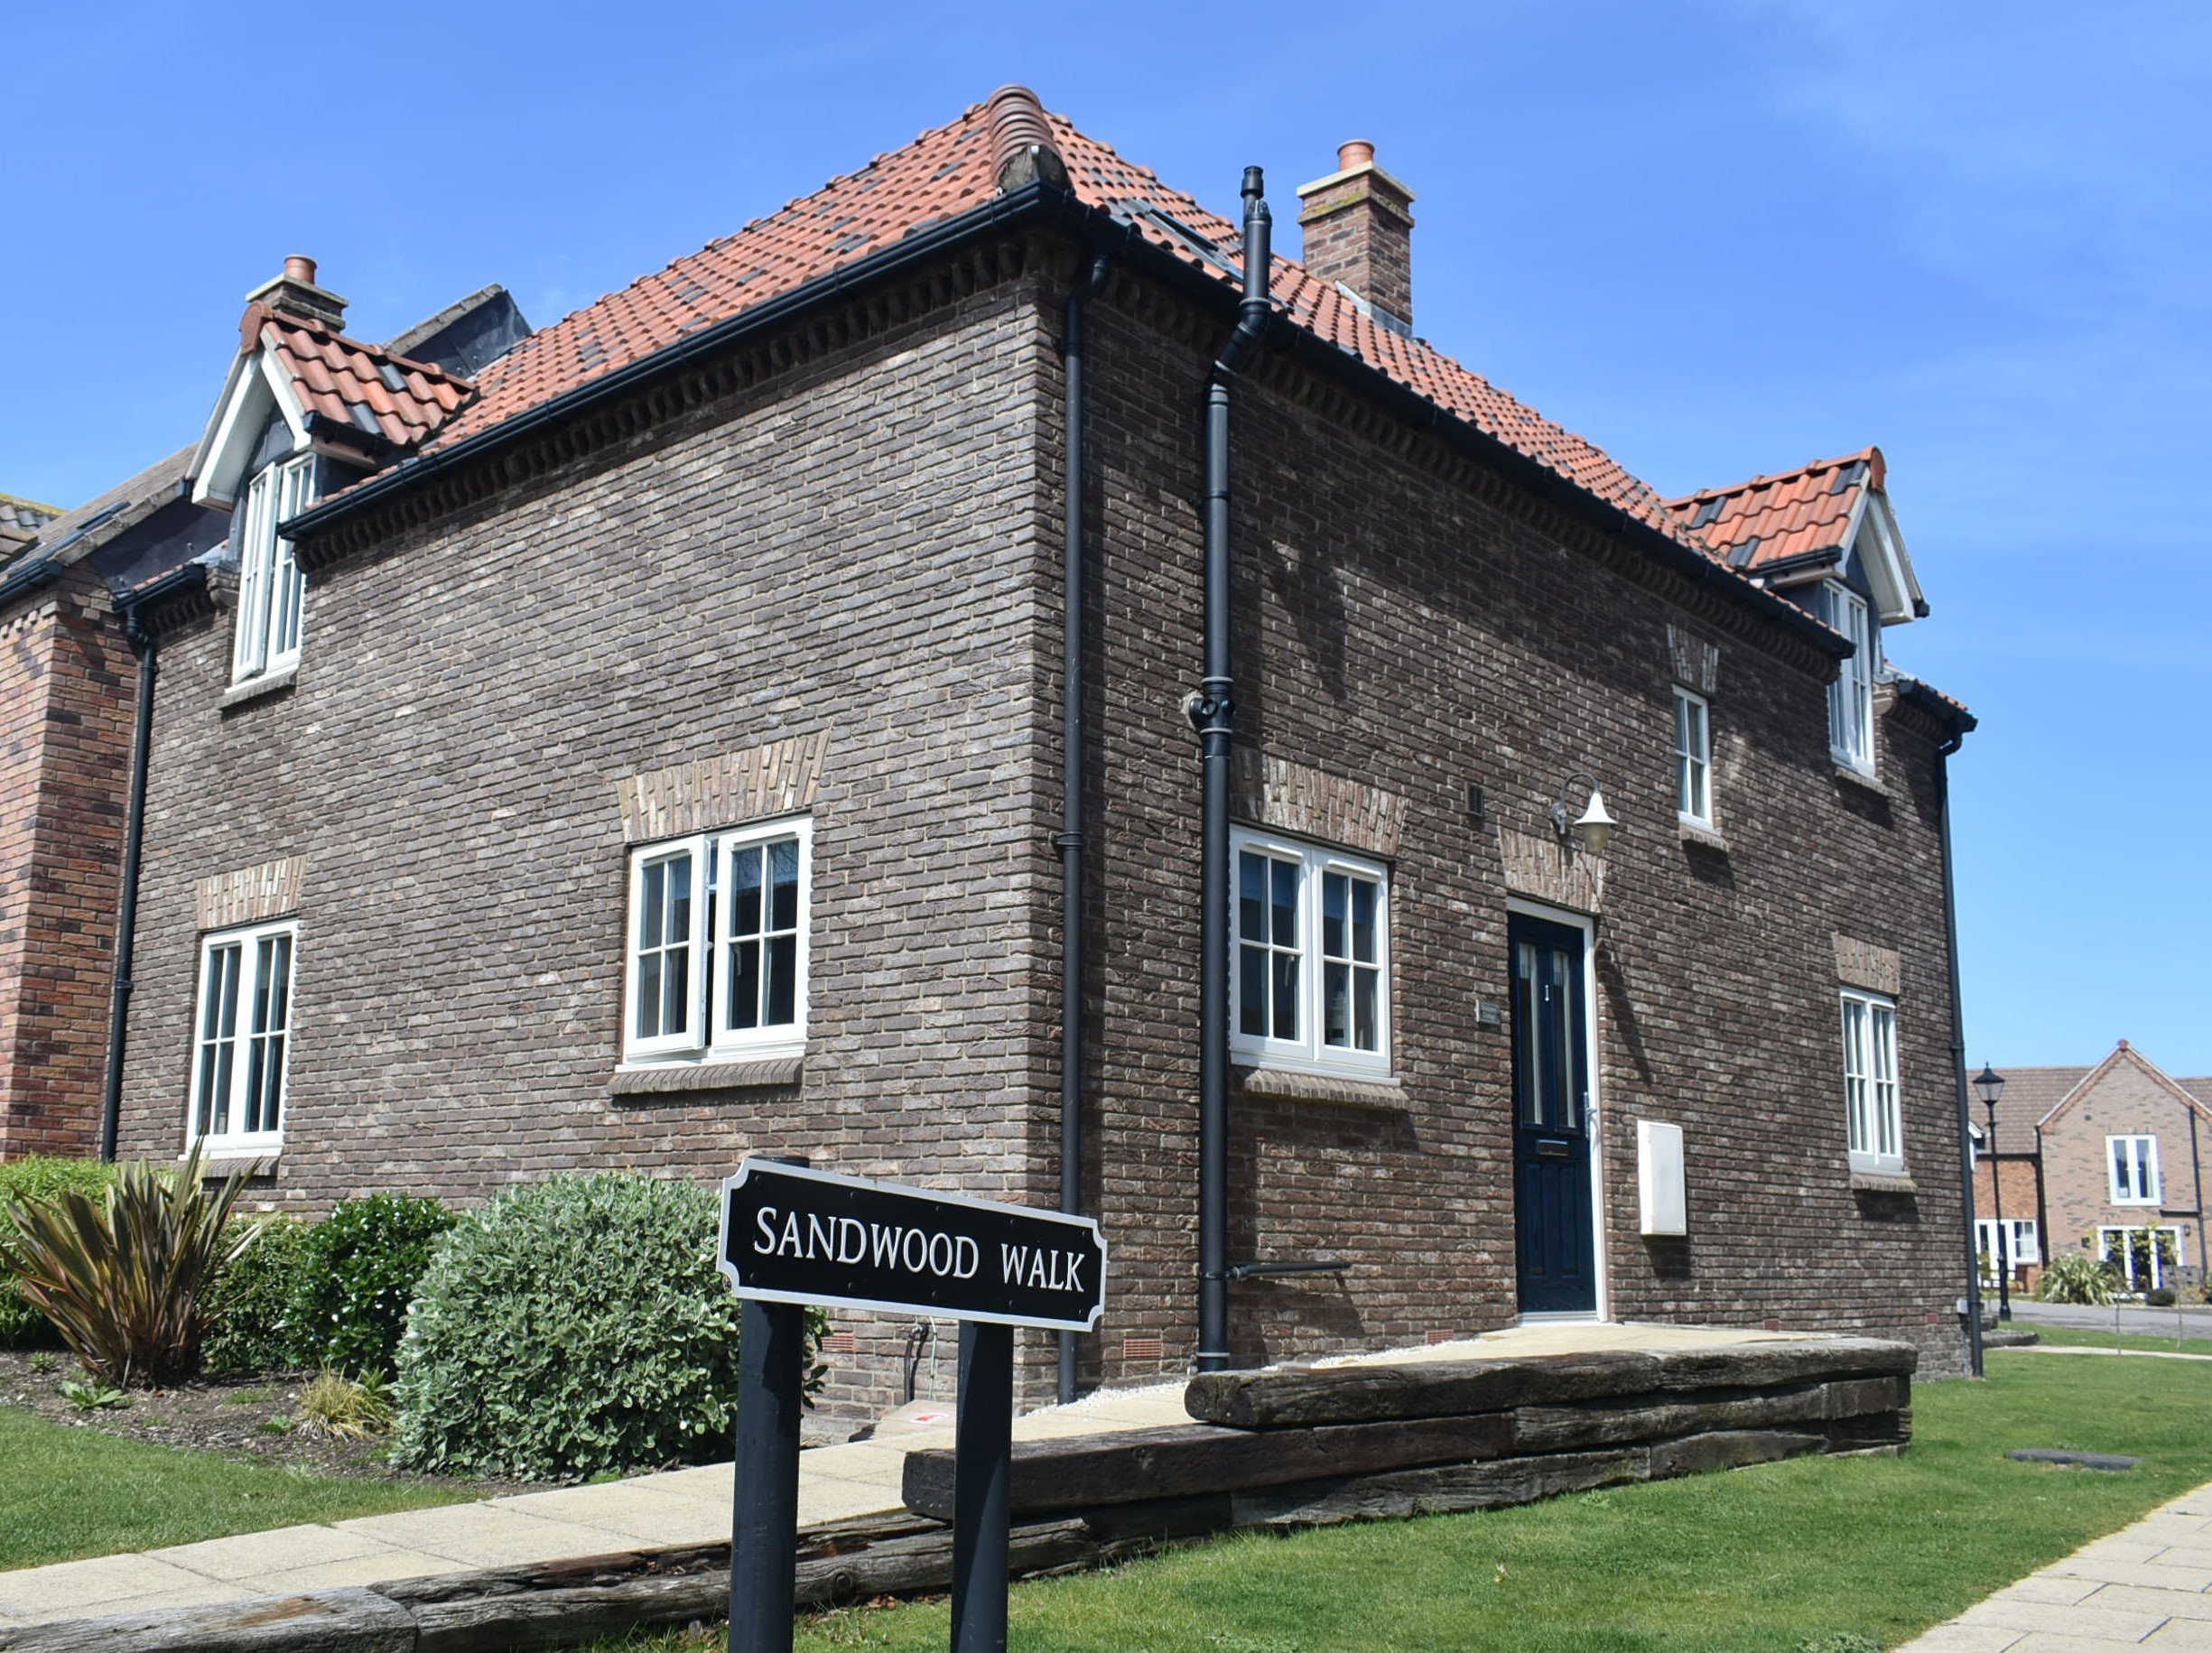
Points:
[567,1329]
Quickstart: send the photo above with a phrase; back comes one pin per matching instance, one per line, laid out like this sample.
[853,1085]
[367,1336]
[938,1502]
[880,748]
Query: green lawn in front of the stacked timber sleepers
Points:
[1780,1557]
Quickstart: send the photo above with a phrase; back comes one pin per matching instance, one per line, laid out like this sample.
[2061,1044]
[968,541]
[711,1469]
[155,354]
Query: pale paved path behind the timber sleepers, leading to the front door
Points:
[654,1512]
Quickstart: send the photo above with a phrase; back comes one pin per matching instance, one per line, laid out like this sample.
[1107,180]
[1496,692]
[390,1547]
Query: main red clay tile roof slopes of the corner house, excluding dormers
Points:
[954,169]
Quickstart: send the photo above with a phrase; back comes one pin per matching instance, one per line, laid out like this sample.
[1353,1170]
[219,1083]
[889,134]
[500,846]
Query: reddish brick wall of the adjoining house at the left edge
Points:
[67,685]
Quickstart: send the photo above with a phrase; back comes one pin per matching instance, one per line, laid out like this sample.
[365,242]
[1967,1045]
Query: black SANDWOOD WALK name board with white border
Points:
[802,1236]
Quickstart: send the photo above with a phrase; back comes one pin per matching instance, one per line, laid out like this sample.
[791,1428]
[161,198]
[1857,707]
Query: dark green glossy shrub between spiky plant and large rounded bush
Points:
[362,1271]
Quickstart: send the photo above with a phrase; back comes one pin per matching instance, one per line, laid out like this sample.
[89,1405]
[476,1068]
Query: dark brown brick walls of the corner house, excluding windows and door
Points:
[866,543]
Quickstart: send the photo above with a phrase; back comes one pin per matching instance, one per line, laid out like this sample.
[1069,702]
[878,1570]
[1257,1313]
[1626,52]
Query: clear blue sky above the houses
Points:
[1713,238]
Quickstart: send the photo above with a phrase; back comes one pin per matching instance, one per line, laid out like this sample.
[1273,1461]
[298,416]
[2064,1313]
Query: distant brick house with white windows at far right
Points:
[2105,1161]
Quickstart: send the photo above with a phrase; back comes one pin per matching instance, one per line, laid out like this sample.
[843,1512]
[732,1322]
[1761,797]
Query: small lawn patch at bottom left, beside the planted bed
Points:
[81,1493]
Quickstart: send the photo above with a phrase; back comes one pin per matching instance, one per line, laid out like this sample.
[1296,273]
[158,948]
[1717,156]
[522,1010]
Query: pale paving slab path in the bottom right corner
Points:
[2147,1586]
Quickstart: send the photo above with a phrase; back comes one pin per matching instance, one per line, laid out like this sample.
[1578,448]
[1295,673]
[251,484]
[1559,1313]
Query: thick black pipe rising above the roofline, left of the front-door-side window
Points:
[1211,711]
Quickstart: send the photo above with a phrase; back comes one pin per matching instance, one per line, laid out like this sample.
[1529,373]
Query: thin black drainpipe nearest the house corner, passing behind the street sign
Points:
[1072,784]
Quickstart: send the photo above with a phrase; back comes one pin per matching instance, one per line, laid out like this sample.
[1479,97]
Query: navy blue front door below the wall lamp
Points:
[1552,1121]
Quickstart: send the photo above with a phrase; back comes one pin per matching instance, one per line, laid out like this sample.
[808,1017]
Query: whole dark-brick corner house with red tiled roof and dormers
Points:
[660,756]
